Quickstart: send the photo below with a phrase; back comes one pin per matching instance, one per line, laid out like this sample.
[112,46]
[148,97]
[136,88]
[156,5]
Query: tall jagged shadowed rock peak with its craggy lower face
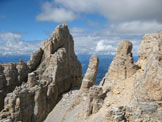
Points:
[55,70]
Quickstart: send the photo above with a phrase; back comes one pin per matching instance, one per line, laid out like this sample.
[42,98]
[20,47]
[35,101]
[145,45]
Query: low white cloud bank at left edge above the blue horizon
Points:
[12,44]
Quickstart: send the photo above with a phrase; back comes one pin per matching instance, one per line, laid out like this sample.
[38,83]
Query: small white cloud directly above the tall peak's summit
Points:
[59,15]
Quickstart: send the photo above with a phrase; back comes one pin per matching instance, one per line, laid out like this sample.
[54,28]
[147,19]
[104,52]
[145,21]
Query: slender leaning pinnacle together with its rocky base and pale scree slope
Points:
[85,102]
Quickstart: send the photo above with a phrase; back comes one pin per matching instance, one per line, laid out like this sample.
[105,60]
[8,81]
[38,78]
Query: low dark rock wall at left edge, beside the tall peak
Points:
[11,75]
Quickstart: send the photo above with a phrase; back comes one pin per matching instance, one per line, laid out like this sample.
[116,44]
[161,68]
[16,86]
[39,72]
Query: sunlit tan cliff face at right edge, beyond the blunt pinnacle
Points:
[143,90]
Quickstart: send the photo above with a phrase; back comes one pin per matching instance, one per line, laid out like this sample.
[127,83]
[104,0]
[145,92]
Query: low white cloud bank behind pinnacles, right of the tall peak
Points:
[89,43]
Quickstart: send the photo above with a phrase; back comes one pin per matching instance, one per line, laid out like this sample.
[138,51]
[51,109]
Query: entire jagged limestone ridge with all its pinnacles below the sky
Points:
[129,92]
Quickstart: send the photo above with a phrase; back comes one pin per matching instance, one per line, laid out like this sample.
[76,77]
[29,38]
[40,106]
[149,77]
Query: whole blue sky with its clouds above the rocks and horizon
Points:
[97,26]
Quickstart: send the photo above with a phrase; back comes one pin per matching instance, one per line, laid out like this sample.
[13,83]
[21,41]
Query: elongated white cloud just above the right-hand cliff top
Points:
[135,28]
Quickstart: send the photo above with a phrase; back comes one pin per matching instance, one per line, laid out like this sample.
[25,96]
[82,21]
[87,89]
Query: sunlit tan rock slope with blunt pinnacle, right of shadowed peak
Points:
[129,92]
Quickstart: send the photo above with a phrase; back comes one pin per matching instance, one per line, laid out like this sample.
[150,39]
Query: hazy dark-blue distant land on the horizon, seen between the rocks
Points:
[104,62]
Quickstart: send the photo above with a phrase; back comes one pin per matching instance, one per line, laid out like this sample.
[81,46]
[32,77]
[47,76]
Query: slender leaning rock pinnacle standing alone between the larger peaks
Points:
[90,76]
